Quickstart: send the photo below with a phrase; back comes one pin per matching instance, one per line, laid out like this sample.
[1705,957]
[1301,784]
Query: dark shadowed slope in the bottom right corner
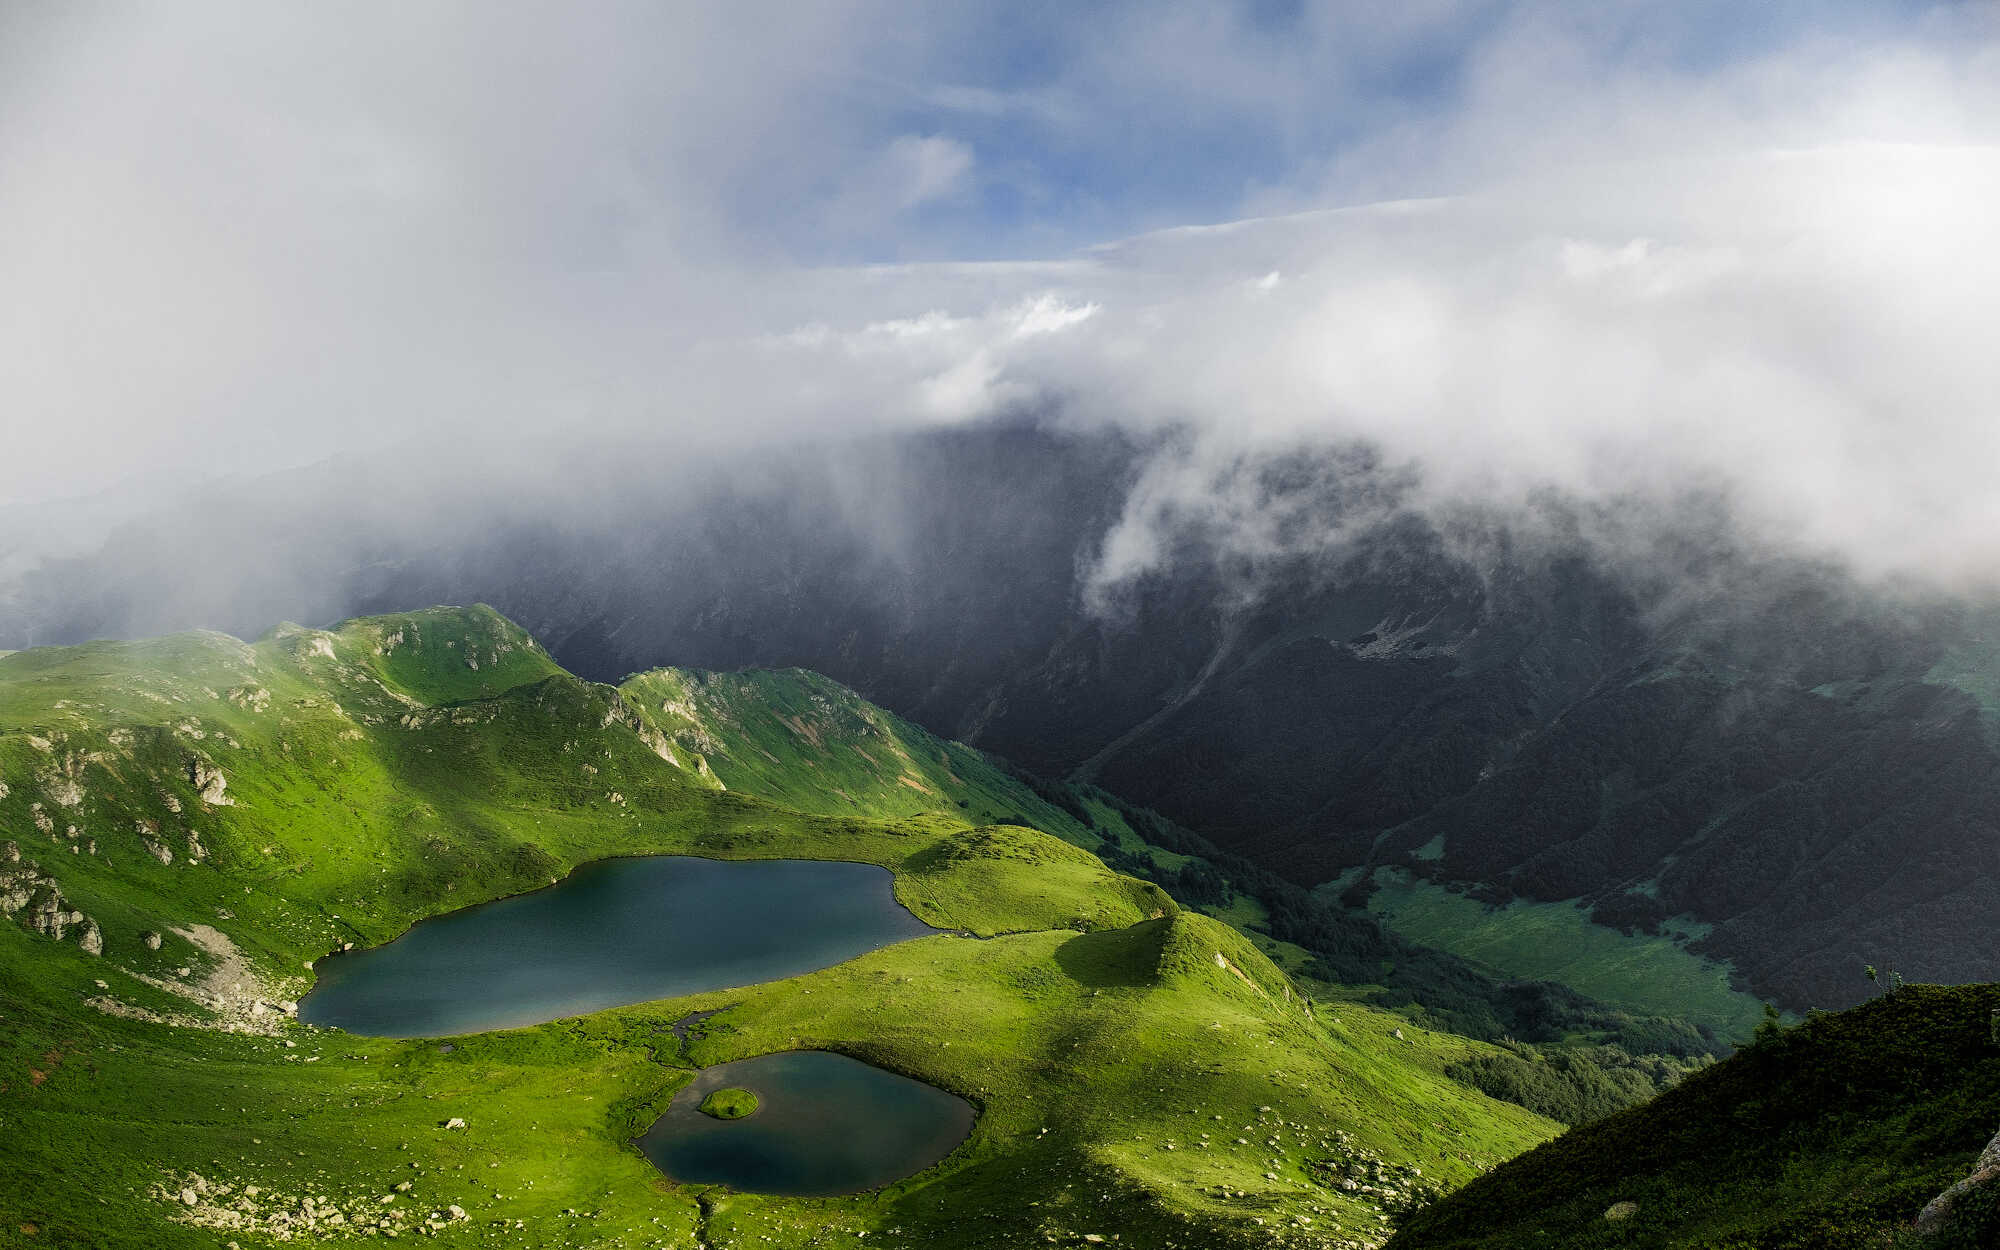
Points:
[1831,1135]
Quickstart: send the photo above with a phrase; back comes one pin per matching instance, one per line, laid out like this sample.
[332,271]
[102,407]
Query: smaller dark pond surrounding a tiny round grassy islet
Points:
[825,1125]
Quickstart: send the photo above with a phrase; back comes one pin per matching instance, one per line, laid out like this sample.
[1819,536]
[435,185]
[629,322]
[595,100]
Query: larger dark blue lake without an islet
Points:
[611,935]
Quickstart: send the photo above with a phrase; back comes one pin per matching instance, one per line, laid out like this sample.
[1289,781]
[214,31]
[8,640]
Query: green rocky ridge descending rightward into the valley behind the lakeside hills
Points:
[813,745]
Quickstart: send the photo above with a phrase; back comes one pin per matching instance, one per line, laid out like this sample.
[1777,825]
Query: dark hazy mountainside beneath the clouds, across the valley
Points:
[1697,739]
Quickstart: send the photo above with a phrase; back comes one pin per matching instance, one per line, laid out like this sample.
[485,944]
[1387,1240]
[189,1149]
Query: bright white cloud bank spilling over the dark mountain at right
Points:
[1803,335]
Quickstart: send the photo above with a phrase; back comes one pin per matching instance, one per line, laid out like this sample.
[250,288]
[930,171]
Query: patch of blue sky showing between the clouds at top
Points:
[1093,123]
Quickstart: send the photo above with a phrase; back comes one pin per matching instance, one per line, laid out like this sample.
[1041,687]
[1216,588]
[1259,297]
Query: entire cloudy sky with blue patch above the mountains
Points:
[1615,251]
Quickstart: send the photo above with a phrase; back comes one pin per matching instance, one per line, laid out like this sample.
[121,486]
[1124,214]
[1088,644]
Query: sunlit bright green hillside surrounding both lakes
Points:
[189,823]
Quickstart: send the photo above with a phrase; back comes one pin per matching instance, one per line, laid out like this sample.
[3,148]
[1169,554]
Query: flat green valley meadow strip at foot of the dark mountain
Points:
[1557,941]
